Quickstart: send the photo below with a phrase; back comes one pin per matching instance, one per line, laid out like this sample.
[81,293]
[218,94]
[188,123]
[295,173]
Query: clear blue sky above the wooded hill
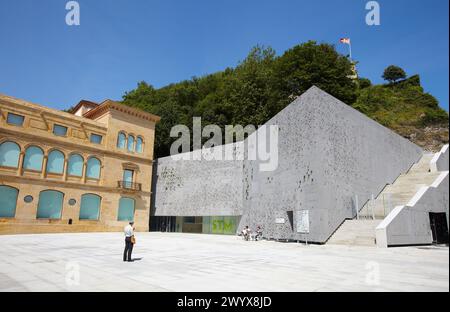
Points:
[121,42]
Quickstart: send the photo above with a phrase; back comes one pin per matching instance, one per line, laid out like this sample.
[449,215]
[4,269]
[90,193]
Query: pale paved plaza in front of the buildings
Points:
[193,262]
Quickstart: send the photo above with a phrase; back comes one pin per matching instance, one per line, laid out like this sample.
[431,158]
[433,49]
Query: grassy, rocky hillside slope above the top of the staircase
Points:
[408,110]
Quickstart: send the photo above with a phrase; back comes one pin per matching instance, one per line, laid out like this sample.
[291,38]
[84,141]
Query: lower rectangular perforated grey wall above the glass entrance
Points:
[198,187]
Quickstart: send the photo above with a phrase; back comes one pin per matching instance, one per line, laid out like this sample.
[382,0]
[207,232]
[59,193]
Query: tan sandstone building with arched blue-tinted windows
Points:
[88,170]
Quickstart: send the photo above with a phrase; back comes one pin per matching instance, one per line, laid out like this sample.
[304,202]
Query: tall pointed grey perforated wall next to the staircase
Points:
[328,153]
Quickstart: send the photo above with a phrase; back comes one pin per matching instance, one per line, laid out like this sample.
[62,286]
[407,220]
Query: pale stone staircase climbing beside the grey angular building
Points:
[362,231]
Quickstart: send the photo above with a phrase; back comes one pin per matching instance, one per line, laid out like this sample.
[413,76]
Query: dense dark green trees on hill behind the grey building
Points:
[263,84]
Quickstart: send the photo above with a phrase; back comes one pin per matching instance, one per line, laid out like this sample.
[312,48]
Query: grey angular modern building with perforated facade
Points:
[332,161]
